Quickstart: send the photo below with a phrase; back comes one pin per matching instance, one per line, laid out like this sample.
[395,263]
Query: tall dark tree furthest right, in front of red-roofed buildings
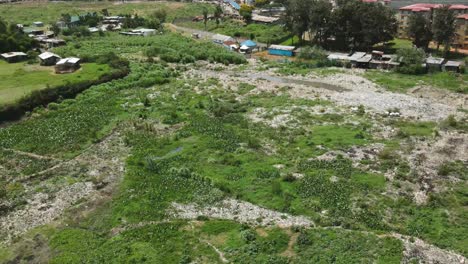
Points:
[443,27]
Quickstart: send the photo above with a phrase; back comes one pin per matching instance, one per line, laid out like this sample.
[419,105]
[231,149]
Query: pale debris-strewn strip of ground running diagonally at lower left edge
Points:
[91,174]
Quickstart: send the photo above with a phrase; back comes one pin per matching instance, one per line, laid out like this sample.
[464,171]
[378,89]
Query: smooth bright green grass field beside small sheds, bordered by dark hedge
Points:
[20,79]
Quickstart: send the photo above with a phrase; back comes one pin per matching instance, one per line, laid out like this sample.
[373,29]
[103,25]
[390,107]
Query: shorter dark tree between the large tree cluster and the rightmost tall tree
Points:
[419,29]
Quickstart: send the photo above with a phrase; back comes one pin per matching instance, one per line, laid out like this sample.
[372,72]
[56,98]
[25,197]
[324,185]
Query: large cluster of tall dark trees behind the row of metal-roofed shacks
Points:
[350,25]
